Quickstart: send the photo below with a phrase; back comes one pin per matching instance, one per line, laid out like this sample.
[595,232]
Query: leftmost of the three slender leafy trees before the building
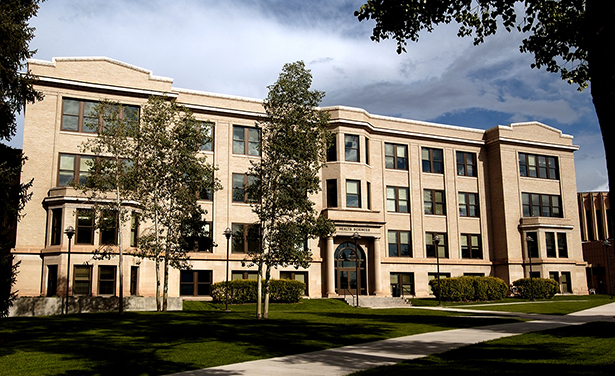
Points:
[111,182]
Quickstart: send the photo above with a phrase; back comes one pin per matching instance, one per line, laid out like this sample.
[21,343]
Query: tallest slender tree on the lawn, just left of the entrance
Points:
[293,147]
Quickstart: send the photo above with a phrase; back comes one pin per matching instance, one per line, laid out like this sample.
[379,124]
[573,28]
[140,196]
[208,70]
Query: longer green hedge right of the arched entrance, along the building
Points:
[470,289]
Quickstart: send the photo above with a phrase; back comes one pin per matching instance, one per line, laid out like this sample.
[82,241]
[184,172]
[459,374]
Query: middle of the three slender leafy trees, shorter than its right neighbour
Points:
[170,172]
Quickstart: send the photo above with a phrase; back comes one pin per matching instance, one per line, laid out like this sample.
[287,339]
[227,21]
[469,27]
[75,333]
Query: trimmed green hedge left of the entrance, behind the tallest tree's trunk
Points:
[245,291]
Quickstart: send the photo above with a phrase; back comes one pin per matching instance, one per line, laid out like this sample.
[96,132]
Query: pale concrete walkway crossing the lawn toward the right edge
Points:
[345,360]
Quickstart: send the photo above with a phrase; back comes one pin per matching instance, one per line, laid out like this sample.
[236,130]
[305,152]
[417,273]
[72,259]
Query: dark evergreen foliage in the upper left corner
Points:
[15,36]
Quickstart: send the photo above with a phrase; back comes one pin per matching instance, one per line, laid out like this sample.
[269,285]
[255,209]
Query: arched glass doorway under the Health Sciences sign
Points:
[346,279]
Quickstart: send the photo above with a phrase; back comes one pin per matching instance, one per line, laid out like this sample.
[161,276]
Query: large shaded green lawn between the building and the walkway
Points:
[150,343]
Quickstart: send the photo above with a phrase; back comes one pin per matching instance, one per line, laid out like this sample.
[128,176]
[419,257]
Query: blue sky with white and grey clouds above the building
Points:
[239,47]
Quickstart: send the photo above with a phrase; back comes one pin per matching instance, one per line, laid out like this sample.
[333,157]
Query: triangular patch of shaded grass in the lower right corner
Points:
[584,350]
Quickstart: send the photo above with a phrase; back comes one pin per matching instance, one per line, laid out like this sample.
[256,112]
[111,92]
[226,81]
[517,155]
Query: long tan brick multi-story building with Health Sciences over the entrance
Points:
[502,201]
